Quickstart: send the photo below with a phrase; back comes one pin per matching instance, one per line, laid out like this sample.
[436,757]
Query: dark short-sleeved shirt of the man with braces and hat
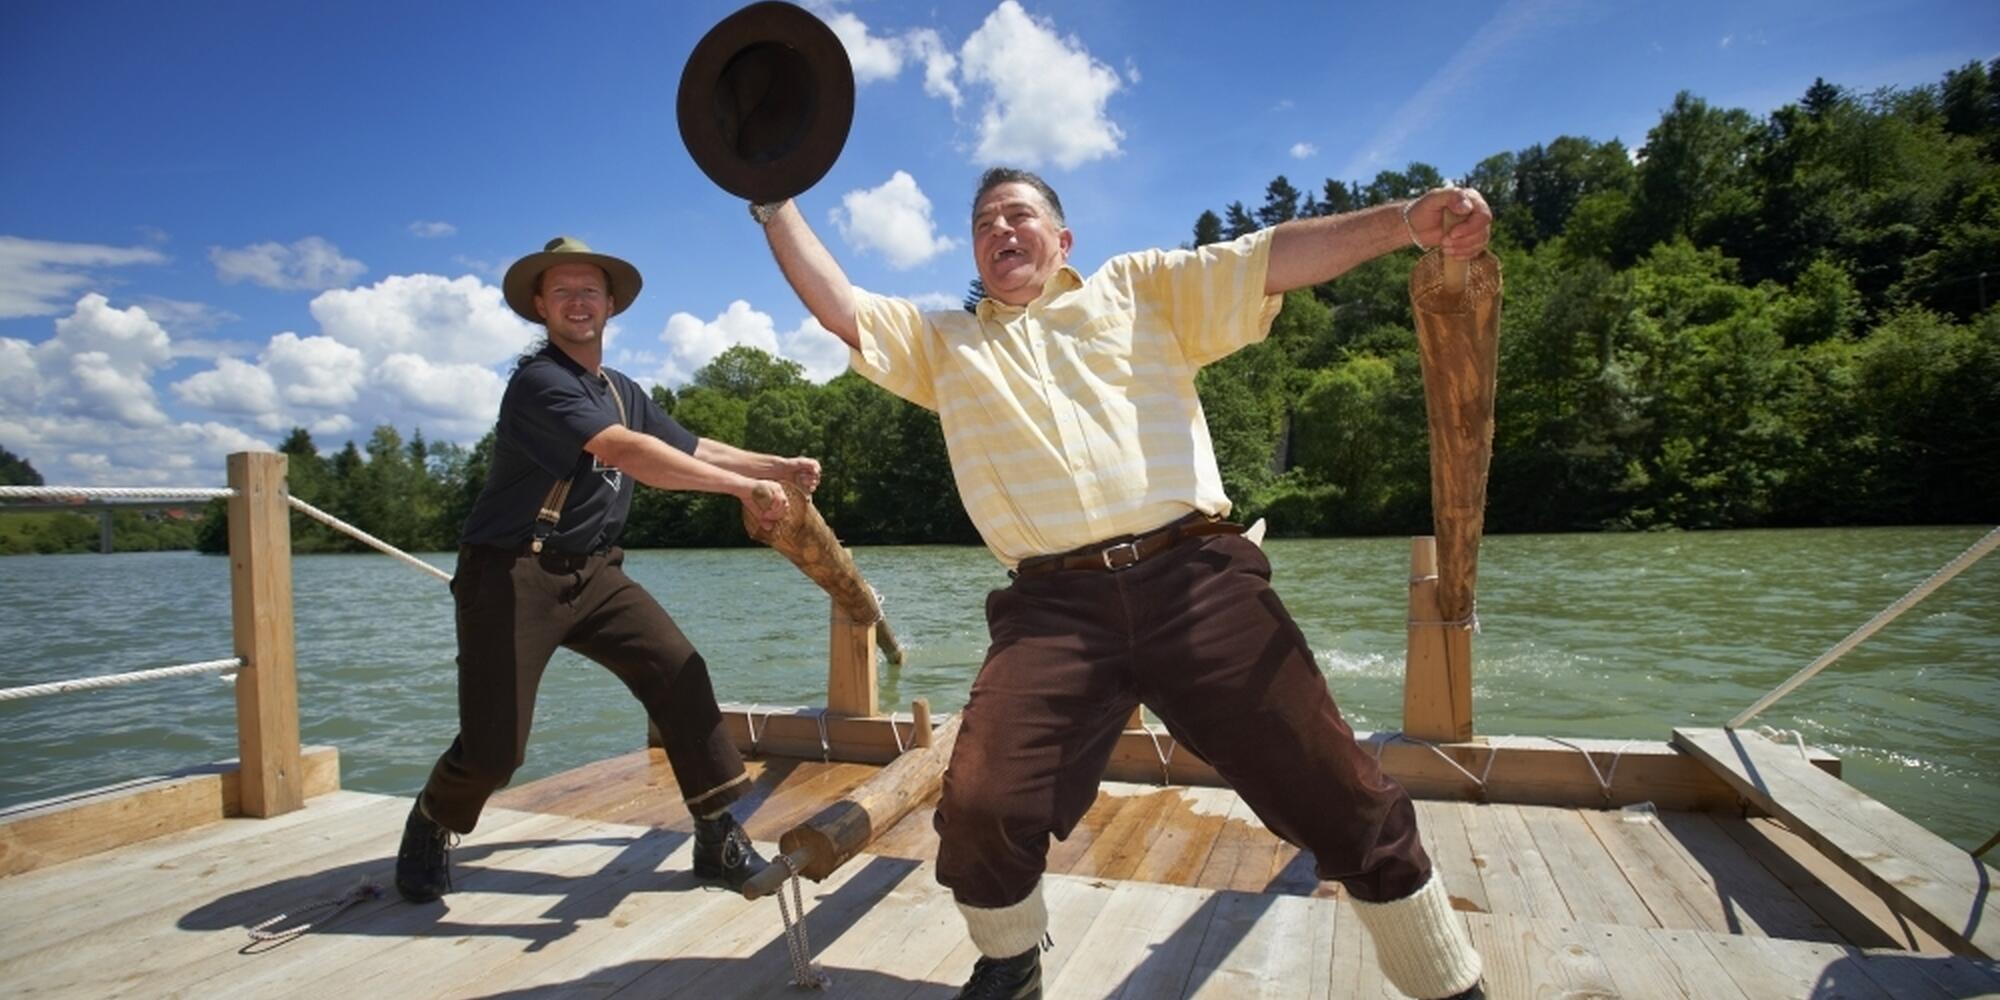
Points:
[551,409]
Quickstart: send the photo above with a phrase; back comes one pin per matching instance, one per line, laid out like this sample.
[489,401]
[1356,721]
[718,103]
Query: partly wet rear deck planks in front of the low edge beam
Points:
[1679,871]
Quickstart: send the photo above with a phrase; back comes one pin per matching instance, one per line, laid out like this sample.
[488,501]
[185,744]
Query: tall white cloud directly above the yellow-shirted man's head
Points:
[1047,93]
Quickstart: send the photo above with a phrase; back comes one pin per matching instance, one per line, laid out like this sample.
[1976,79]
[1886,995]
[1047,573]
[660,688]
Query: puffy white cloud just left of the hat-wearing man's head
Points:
[441,319]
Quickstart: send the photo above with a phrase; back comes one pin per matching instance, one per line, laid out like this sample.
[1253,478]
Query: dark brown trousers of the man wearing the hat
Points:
[513,611]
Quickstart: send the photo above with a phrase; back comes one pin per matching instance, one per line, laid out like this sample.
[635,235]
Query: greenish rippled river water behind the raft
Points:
[1583,635]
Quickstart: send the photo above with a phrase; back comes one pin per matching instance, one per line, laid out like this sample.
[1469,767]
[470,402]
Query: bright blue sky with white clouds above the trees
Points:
[227,219]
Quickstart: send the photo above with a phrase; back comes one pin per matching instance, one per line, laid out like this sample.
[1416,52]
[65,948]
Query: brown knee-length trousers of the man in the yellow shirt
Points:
[1203,641]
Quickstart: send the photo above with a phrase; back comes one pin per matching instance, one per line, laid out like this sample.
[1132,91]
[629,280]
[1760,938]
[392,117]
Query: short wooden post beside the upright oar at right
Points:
[1437,679]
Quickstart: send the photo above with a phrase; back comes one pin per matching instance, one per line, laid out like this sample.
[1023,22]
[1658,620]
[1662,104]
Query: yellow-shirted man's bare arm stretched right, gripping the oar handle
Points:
[1315,251]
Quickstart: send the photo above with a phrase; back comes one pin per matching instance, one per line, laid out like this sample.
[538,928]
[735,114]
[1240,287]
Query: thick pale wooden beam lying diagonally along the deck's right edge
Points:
[1923,877]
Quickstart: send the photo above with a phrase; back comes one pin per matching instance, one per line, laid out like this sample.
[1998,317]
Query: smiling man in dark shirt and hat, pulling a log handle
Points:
[539,567]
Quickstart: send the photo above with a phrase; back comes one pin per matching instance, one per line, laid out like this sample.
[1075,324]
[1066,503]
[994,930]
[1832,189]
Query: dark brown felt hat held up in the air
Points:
[767,101]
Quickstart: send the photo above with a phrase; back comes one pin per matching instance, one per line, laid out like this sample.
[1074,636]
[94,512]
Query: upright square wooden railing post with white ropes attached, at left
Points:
[261,609]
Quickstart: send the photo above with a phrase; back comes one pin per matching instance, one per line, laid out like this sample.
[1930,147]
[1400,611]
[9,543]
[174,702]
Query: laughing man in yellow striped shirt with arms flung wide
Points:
[1083,457]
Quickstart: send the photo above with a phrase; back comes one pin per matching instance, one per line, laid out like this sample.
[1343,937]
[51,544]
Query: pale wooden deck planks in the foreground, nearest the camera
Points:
[553,905]
